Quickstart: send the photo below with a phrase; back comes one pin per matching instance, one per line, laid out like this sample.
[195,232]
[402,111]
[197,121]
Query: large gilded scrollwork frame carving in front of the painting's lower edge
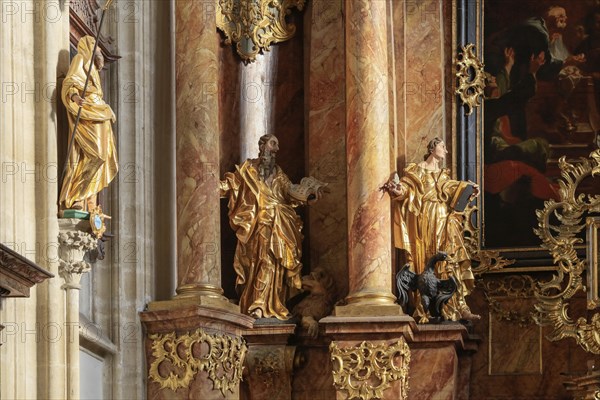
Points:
[559,223]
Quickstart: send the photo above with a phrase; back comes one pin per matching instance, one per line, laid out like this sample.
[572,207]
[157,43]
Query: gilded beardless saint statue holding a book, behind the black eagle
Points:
[424,224]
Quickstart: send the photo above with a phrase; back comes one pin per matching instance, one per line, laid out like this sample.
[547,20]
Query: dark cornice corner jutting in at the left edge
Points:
[18,274]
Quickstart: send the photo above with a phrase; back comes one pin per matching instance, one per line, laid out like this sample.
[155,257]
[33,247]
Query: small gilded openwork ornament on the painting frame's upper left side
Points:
[471,78]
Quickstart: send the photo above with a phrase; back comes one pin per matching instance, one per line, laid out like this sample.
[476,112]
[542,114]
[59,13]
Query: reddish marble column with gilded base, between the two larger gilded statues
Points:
[368,161]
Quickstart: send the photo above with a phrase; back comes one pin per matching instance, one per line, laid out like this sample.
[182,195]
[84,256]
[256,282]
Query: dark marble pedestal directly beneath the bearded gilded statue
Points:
[269,363]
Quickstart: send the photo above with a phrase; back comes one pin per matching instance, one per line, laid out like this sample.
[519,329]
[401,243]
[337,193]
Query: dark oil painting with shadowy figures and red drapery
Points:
[542,66]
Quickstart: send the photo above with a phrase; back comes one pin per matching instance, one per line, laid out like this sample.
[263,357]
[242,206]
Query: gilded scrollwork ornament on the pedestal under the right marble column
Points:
[367,370]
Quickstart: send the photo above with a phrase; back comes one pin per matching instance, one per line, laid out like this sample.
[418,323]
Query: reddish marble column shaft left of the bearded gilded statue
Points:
[197,151]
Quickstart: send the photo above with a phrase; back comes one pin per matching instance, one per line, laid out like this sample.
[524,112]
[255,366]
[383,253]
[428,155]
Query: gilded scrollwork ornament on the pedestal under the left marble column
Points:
[177,359]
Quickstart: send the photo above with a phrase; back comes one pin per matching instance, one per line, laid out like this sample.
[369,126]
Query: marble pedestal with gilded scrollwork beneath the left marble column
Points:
[194,352]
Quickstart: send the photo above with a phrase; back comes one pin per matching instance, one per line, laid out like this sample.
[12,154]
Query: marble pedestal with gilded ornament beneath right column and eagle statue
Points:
[405,360]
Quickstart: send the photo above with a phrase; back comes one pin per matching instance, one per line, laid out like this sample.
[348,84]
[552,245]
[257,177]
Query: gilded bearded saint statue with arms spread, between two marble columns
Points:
[261,212]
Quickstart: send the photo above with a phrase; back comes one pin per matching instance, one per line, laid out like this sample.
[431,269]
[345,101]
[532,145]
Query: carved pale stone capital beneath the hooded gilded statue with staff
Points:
[73,245]
